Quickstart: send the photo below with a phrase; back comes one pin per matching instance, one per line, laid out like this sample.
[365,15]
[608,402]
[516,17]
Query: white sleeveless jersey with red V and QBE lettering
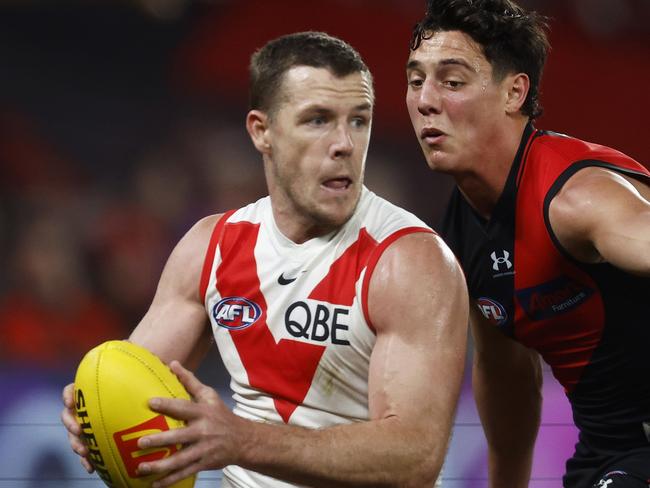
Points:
[290,320]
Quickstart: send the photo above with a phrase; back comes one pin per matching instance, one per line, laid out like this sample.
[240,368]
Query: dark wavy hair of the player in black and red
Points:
[513,40]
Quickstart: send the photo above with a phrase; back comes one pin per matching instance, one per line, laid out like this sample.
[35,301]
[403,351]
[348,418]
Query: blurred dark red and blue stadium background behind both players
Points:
[122,122]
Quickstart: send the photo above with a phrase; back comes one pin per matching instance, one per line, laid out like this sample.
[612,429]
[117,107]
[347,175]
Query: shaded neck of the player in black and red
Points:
[483,184]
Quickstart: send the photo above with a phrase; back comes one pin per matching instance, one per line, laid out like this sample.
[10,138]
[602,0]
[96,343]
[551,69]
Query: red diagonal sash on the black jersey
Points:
[568,340]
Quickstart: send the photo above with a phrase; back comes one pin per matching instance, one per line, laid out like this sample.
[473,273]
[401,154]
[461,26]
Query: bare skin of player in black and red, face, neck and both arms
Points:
[469,125]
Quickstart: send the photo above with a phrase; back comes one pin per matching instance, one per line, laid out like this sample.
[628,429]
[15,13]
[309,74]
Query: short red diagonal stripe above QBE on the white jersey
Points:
[338,286]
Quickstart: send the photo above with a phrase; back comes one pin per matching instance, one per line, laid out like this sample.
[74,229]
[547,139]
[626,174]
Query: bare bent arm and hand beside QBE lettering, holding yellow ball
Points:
[418,306]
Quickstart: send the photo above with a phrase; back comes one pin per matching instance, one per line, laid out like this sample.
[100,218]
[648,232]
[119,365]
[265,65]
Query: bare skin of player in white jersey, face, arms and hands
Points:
[314,147]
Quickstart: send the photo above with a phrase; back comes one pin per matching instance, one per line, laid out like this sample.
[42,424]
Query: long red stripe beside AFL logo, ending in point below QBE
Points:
[285,369]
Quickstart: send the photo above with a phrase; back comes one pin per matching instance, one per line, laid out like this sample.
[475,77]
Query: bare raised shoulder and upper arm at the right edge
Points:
[602,216]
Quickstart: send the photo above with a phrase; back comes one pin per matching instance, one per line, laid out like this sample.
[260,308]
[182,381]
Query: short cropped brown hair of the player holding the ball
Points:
[316,49]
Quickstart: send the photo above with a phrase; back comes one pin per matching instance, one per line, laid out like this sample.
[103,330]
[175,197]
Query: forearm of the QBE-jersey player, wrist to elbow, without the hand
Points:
[375,453]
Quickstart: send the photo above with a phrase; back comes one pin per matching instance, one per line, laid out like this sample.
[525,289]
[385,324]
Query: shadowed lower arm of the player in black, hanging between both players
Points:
[507,385]
